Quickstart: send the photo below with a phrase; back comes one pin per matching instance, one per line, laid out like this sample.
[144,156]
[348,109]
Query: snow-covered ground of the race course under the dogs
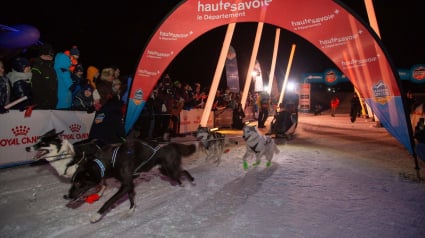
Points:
[334,179]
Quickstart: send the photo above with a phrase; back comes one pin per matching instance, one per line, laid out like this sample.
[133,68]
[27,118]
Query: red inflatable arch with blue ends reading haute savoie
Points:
[352,46]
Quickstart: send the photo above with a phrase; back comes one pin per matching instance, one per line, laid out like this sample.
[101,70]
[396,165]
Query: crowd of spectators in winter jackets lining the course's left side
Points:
[58,81]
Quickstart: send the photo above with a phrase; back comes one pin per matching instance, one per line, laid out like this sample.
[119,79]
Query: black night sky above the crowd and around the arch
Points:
[115,34]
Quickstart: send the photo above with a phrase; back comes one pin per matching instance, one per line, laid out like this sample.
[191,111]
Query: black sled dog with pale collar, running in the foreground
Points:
[126,162]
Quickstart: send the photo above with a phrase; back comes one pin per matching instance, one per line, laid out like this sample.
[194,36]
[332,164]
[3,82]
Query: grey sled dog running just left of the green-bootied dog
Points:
[212,142]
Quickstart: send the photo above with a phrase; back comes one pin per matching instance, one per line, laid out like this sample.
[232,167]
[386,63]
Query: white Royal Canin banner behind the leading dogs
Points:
[18,131]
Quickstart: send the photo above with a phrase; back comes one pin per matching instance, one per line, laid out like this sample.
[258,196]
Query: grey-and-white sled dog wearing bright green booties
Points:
[258,145]
